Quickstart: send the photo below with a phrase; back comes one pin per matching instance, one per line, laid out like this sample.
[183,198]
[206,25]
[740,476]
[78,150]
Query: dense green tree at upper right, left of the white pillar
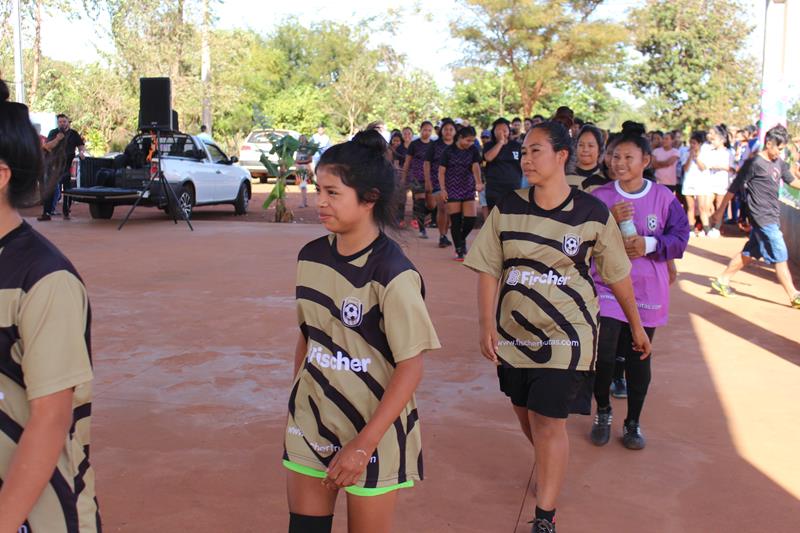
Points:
[694,70]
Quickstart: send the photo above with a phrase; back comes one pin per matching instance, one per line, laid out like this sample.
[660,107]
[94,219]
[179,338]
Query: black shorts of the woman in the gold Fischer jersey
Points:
[550,392]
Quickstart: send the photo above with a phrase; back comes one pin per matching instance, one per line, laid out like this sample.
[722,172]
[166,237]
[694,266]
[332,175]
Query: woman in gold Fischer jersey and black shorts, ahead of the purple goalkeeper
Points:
[538,305]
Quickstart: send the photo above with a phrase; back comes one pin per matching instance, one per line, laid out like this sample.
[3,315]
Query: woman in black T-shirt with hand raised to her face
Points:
[503,171]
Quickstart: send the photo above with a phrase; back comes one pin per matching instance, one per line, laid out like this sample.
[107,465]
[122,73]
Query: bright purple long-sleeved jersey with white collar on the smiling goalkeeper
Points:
[657,214]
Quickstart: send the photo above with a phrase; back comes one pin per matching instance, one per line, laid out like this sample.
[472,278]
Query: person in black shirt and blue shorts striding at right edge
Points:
[759,180]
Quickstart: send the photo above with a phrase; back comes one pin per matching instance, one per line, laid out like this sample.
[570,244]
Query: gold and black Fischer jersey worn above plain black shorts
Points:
[547,314]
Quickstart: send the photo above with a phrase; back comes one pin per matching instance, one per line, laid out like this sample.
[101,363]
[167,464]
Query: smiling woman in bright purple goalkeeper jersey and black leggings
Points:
[662,234]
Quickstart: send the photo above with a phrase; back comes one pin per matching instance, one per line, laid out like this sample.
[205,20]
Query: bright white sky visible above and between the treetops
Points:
[423,36]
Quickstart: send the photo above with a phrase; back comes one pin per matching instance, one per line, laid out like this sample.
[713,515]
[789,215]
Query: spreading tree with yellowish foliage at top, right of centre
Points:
[539,42]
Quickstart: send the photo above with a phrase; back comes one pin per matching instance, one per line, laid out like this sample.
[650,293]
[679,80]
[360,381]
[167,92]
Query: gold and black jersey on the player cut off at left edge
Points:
[45,348]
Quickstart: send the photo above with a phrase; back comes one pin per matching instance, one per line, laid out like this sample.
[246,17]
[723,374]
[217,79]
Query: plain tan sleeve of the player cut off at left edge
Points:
[53,324]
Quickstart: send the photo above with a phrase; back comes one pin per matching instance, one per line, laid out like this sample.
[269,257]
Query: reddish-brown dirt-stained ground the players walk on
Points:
[193,338]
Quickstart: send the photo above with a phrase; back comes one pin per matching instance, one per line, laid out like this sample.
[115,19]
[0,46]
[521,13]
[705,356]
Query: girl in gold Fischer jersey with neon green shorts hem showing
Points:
[353,422]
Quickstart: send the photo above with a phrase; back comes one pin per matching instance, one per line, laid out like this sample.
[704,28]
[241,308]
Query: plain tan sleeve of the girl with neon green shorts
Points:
[407,324]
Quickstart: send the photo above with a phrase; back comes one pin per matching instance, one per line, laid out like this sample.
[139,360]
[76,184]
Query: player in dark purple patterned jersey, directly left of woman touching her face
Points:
[459,178]
